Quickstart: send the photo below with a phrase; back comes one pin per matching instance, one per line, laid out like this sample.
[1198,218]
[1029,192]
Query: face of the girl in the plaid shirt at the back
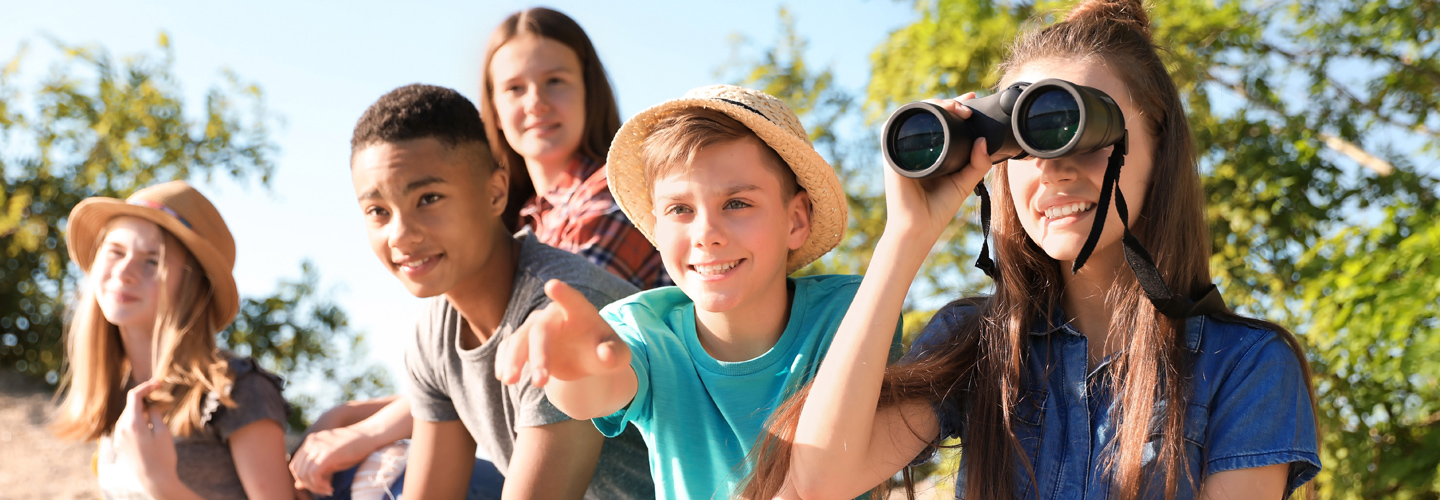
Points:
[539,94]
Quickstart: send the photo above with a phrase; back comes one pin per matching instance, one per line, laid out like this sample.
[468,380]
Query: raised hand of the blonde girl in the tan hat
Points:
[143,437]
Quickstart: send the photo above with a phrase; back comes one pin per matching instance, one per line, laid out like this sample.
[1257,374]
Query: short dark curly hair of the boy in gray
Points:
[420,112]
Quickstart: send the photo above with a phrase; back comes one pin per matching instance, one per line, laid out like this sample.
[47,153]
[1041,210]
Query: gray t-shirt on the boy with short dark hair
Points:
[449,383]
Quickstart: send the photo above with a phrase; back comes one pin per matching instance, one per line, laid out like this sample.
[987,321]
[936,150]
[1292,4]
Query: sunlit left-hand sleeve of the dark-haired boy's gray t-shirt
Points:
[428,398]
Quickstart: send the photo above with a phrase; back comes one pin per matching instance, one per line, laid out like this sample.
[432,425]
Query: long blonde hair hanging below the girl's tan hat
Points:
[184,348]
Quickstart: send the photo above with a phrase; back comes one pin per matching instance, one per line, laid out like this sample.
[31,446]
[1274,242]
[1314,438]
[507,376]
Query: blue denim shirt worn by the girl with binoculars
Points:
[1251,409]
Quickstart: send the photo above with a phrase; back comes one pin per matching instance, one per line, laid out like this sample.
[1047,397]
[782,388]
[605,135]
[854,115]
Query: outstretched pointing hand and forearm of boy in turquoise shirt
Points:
[574,355]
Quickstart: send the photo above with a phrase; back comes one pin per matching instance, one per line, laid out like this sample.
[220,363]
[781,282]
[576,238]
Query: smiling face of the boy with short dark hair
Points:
[431,213]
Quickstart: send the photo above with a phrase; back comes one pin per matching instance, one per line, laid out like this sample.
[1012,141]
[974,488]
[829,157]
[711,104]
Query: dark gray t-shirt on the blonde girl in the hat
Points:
[205,463]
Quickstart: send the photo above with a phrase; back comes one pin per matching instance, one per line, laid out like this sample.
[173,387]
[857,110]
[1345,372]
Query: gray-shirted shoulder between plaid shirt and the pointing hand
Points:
[544,263]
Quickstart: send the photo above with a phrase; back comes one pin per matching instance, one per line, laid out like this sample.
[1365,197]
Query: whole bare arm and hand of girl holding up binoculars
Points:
[843,445]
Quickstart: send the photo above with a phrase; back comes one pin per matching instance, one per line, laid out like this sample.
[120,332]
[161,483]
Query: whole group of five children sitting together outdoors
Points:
[532,226]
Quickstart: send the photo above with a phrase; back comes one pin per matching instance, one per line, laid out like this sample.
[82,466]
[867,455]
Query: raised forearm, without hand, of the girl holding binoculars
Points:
[837,423]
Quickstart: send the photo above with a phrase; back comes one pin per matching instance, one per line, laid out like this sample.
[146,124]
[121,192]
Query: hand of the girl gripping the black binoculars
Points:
[919,210]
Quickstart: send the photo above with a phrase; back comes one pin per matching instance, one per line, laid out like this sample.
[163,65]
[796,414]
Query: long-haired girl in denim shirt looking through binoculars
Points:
[1076,378]
